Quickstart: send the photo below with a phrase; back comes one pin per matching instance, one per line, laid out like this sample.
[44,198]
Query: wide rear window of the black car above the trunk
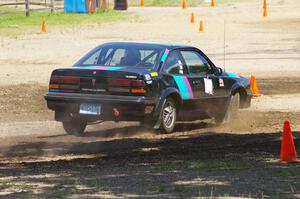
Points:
[130,55]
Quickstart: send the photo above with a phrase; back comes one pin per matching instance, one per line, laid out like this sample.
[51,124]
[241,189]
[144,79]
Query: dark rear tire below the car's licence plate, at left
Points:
[74,127]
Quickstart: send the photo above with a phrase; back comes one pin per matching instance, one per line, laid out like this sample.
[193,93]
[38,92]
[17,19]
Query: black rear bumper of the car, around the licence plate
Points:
[131,108]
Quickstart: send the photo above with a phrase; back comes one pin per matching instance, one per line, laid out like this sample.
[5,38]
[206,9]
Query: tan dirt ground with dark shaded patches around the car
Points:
[123,160]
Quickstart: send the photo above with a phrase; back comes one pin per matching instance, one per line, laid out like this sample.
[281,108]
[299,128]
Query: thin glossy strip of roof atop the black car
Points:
[163,45]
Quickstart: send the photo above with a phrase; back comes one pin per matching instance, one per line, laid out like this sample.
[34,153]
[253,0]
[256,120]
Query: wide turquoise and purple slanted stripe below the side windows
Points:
[184,87]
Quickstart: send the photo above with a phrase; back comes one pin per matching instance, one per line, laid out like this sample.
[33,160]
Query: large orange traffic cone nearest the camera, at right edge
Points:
[287,151]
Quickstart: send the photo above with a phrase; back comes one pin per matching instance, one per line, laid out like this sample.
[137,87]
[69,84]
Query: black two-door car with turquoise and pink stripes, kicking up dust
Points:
[156,84]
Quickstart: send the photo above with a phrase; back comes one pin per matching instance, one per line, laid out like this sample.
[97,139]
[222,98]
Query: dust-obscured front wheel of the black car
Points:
[232,111]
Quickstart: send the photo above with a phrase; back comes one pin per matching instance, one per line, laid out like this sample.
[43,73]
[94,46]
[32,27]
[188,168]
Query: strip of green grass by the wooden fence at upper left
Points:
[15,24]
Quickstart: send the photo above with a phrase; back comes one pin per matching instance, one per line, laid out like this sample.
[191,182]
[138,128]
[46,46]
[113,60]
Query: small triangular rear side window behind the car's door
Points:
[173,65]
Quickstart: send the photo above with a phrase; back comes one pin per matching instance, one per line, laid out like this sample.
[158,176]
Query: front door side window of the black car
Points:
[196,63]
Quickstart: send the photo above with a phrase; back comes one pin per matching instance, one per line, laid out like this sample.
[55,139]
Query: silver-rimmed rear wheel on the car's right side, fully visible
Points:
[168,116]
